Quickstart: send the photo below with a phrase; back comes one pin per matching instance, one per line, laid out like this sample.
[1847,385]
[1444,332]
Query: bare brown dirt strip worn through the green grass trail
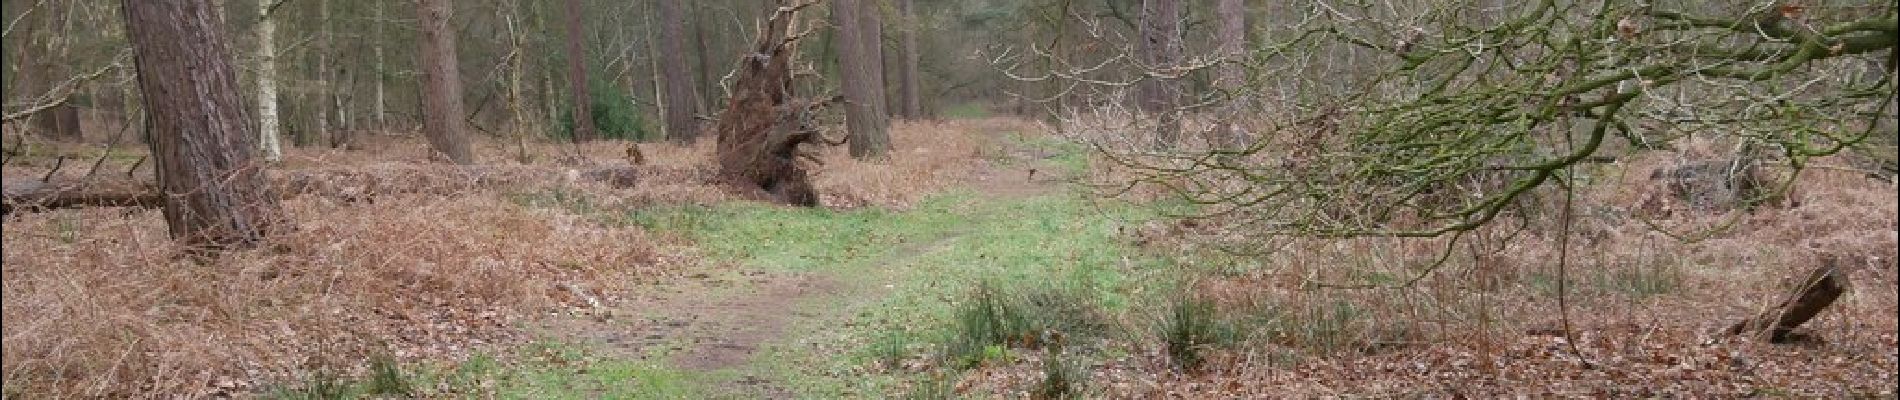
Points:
[719,323]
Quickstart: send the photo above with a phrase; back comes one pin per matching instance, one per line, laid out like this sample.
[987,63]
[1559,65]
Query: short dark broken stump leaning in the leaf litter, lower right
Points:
[1808,299]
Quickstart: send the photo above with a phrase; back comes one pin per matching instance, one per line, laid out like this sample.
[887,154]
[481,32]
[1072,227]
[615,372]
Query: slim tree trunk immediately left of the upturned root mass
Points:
[677,81]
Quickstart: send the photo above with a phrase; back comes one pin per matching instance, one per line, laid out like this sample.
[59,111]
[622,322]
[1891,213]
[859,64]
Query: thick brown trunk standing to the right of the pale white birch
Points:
[442,84]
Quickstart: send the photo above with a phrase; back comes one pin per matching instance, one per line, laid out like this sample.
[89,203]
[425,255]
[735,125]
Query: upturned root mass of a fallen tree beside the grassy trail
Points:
[765,122]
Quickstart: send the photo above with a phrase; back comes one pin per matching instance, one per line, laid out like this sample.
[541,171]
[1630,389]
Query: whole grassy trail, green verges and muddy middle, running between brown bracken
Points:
[826,304]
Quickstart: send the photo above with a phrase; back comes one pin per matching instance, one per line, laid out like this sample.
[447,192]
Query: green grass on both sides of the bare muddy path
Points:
[1057,263]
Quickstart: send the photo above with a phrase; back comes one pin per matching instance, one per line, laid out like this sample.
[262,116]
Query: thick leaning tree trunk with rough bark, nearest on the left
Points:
[216,194]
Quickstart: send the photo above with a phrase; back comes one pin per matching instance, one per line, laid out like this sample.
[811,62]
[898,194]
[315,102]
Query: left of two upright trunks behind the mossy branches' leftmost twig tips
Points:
[1162,48]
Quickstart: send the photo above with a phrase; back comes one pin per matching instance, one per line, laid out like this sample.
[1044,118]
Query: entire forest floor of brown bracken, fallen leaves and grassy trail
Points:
[972,266]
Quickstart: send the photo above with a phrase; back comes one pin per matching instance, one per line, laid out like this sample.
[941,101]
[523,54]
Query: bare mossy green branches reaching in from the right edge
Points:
[1426,120]
